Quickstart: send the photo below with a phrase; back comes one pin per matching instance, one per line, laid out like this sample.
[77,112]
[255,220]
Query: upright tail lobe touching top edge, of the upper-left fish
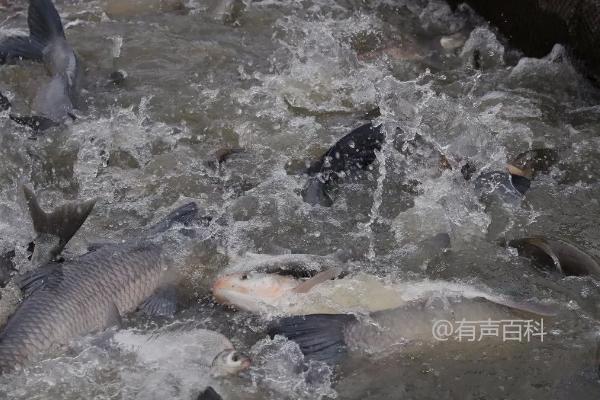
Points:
[44,22]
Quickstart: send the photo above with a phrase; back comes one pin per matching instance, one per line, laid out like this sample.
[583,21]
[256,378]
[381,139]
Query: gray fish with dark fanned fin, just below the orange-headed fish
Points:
[328,337]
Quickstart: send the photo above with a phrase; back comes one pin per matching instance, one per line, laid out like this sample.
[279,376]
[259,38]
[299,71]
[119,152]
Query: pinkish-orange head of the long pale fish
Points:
[253,290]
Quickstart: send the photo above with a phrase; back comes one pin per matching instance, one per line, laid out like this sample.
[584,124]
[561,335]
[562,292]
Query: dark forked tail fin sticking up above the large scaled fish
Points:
[61,224]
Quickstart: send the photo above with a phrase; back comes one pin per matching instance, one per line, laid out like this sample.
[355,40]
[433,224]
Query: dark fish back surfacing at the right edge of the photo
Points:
[561,255]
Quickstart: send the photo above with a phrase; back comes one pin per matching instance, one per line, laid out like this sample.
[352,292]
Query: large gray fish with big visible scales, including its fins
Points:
[92,292]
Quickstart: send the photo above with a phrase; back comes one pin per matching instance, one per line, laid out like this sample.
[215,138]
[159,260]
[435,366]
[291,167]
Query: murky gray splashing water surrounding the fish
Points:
[283,80]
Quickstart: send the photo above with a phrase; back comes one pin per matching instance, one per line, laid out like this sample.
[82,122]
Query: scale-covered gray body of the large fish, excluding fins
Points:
[81,299]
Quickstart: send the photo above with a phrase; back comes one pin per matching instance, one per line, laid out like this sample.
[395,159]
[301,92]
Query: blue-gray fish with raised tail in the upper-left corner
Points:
[55,101]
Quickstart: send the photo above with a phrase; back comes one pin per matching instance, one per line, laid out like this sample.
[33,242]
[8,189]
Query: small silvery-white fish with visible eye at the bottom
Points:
[182,342]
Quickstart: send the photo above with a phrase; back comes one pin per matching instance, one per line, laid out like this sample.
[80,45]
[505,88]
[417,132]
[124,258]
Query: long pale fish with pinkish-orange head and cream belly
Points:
[273,294]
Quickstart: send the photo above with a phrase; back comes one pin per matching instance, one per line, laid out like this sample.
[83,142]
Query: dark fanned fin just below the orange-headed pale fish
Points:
[319,336]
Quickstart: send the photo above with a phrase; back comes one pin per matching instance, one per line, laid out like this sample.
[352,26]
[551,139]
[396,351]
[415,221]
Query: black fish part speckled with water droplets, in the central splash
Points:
[350,154]
